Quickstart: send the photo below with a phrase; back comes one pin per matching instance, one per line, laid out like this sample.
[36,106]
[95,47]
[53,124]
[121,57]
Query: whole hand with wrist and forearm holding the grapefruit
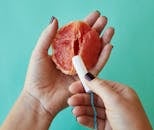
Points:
[45,91]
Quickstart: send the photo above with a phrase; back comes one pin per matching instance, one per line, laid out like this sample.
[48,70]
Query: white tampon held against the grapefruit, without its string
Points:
[81,70]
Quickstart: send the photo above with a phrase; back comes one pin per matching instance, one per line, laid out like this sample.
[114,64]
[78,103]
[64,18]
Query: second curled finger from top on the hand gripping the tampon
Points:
[83,99]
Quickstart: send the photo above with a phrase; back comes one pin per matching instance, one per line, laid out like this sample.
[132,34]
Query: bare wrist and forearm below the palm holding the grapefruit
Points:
[29,112]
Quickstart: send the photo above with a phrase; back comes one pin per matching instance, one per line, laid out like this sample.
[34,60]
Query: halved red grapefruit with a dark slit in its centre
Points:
[75,38]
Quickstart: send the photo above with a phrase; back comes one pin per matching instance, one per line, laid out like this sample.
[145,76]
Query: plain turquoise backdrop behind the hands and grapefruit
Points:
[131,62]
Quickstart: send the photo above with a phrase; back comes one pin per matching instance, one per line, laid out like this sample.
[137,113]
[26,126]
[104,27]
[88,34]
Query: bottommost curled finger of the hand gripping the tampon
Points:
[89,122]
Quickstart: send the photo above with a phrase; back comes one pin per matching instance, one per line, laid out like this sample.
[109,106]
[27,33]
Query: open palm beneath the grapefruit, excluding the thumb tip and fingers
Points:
[48,82]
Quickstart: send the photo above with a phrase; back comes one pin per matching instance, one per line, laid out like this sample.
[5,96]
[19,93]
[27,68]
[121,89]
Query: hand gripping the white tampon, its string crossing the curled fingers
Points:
[118,106]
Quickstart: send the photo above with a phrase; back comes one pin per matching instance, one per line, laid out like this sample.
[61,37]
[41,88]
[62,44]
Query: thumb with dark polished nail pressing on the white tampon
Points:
[101,88]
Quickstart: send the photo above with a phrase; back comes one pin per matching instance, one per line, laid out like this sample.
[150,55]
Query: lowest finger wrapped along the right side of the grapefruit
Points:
[102,60]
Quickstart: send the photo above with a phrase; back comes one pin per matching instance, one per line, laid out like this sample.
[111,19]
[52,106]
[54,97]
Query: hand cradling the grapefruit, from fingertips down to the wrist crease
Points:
[47,84]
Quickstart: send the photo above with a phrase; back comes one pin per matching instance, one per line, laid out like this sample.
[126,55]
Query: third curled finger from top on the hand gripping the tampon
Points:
[88,111]
